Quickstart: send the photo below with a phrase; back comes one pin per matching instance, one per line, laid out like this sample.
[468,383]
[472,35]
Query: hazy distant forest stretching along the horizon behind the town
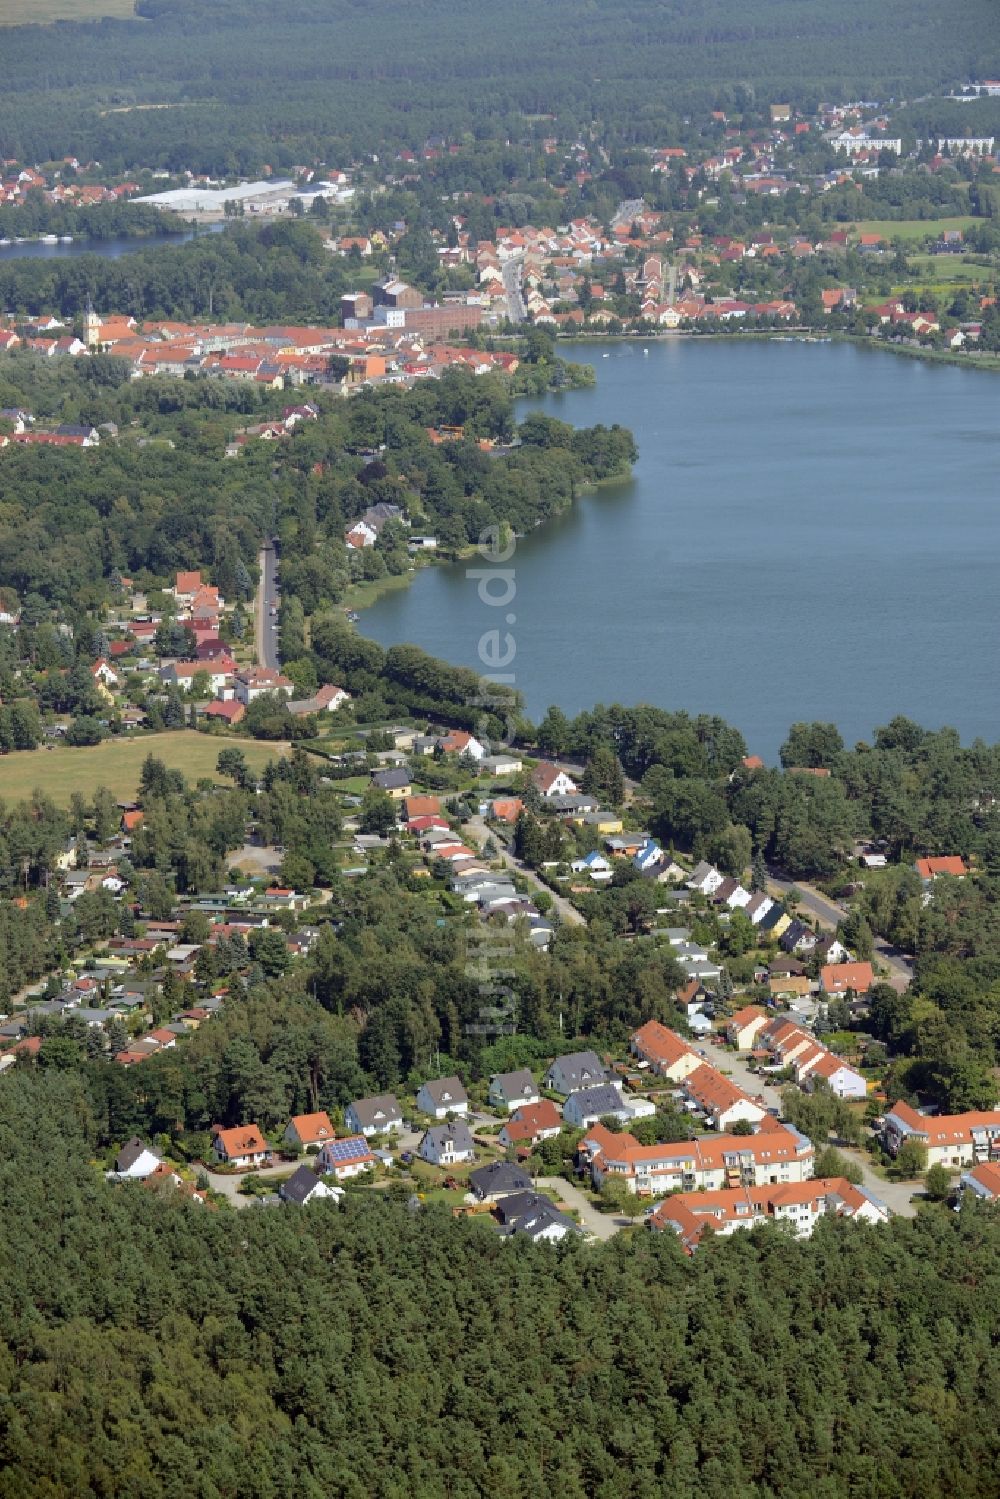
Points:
[250,85]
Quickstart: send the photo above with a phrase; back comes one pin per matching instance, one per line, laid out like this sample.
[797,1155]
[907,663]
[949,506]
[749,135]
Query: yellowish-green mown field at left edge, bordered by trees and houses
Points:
[116,764]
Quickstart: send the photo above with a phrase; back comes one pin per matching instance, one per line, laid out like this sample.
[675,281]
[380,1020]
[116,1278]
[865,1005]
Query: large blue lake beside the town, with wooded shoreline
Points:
[812,531]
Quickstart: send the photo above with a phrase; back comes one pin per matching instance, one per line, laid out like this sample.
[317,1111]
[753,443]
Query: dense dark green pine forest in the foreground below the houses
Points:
[160,1350]
